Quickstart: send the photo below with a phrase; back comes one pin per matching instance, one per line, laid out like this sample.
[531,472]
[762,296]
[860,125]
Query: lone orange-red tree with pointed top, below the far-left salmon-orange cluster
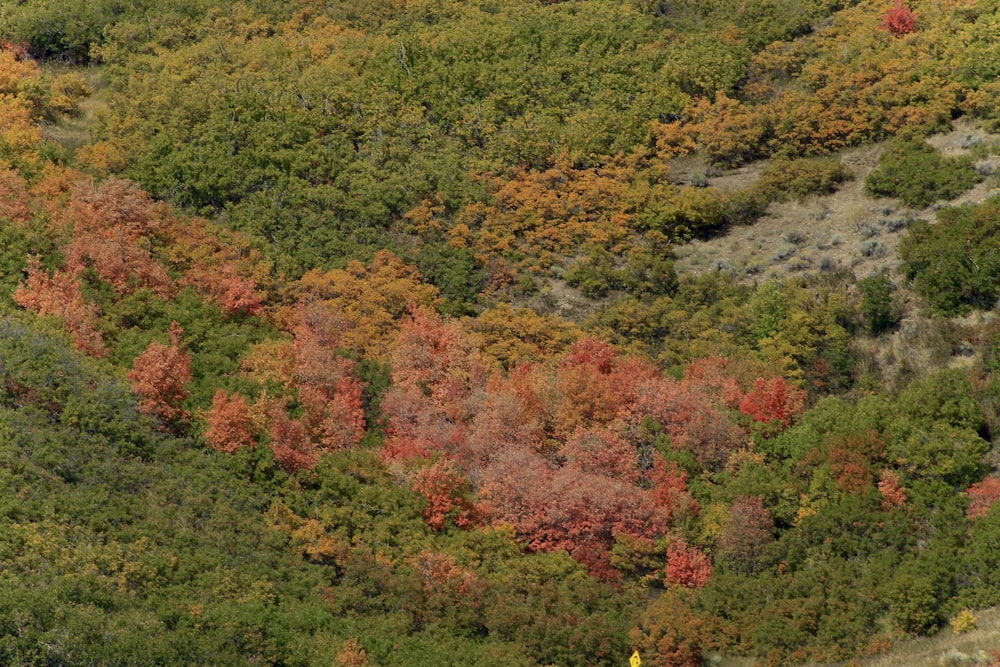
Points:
[159,376]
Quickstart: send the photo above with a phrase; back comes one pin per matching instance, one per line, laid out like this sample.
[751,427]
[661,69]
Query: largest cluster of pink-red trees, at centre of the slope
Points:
[564,450]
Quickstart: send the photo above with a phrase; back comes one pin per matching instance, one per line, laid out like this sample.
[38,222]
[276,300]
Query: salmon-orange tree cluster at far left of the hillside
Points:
[117,234]
